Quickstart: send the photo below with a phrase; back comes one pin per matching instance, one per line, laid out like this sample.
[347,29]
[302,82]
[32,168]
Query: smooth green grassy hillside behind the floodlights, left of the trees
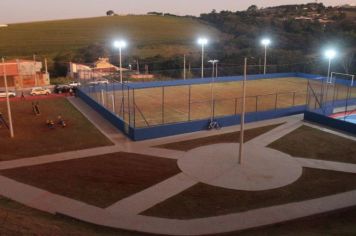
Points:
[147,35]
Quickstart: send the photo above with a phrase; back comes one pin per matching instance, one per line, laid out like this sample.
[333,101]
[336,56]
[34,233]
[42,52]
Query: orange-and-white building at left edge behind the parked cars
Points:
[23,74]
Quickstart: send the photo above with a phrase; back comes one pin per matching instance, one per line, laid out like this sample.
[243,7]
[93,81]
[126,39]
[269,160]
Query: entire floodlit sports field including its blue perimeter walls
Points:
[133,107]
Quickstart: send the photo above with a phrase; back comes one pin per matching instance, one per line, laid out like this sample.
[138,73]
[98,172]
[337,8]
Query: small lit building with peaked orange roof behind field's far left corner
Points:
[101,68]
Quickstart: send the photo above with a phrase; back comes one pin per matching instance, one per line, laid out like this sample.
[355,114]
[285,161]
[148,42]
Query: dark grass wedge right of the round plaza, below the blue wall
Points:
[313,143]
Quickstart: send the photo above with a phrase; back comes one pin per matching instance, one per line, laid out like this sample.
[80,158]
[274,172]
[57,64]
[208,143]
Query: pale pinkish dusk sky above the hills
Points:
[36,10]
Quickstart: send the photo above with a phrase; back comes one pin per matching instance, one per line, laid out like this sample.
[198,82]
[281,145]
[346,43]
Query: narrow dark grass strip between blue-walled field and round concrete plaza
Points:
[221,138]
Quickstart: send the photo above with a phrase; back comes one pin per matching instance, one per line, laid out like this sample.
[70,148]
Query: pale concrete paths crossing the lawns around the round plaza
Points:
[124,214]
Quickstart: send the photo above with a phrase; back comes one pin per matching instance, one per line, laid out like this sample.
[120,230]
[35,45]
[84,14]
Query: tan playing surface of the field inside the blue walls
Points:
[144,107]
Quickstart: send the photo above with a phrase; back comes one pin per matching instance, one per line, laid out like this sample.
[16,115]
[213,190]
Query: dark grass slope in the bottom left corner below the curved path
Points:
[17,219]
